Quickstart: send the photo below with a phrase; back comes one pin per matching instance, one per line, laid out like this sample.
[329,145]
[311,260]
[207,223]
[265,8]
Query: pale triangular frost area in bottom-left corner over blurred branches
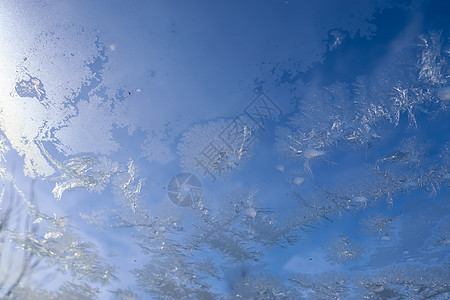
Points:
[34,242]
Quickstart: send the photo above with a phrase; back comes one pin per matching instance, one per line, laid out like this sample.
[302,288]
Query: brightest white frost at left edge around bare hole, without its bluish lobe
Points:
[25,120]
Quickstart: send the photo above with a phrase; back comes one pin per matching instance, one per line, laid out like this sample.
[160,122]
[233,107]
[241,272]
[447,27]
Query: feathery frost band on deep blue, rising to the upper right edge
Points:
[340,113]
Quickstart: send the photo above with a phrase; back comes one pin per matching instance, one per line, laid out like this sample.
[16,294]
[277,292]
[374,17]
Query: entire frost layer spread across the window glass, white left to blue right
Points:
[185,252]
